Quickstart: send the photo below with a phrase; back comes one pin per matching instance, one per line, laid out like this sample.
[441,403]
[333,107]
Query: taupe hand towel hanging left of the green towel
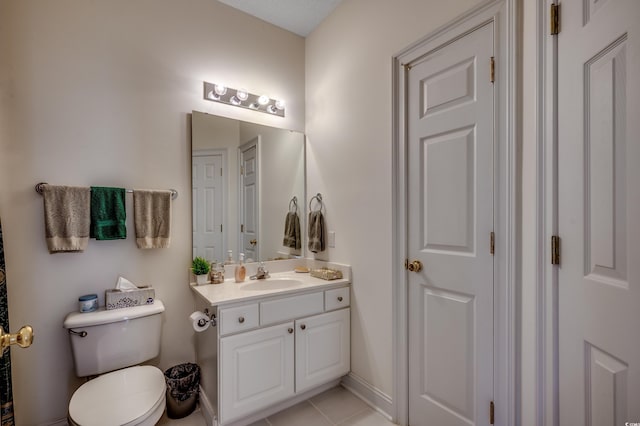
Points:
[66,217]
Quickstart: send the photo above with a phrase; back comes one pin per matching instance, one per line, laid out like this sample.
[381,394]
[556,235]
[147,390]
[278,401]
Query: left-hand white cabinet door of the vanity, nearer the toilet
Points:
[256,370]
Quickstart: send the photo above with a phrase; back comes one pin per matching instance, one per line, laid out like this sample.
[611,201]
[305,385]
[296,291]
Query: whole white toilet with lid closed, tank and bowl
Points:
[111,344]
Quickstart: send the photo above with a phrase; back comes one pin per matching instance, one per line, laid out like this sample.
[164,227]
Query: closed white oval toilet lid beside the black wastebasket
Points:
[118,398]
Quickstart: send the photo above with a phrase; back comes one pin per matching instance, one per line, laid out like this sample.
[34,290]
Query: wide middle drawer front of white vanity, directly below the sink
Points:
[278,310]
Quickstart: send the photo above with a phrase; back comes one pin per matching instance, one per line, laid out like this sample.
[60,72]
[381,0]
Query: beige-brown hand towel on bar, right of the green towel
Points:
[152,218]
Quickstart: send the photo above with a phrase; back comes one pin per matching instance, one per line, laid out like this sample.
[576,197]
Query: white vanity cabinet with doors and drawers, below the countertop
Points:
[271,349]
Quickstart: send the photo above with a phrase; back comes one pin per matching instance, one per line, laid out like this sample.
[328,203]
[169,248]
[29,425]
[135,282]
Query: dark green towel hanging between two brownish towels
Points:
[108,215]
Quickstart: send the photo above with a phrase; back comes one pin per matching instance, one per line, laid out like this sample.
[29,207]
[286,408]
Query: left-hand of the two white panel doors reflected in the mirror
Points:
[208,206]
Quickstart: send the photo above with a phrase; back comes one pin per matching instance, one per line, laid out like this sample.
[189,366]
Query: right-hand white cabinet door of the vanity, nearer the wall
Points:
[322,348]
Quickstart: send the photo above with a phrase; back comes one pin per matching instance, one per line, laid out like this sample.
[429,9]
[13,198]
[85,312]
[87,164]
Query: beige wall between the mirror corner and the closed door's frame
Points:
[349,157]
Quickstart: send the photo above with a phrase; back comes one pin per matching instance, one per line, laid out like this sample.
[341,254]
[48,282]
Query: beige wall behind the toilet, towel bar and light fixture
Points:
[99,92]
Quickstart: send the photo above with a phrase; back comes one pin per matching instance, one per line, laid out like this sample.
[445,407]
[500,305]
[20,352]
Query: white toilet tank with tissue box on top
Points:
[107,340]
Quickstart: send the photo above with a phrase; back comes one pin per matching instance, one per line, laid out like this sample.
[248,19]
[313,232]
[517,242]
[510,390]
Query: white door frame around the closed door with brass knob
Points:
[504,13]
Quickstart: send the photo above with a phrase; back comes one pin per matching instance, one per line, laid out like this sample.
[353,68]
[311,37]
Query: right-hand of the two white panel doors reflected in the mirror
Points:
[249,199]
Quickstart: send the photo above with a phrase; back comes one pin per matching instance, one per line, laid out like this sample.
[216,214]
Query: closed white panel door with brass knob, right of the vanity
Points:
[450,219]
